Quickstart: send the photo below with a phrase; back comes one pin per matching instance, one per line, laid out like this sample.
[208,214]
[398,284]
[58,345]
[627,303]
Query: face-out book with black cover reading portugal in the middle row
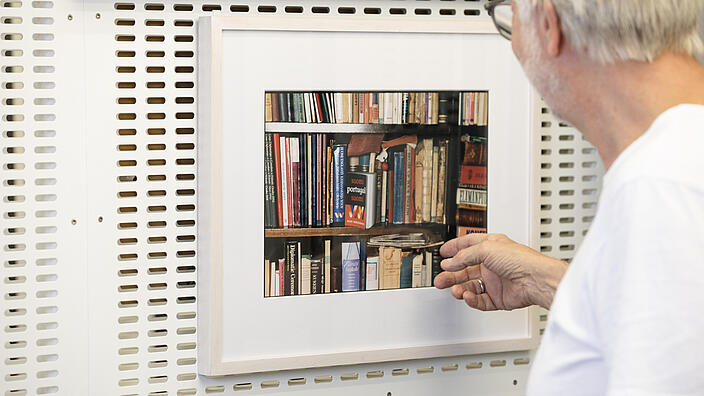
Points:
[360,197]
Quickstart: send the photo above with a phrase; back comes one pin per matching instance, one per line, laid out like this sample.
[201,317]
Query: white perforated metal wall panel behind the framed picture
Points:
[98,204]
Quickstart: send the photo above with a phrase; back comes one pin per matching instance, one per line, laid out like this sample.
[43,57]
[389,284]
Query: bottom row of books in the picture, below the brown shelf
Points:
[385,262]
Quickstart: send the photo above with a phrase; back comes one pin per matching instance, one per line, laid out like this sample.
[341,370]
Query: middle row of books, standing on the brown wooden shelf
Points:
[312,180]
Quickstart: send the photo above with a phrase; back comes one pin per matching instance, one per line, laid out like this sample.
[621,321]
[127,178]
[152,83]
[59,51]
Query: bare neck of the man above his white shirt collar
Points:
[622,100]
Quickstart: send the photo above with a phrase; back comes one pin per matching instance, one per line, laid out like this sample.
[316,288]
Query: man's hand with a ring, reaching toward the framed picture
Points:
[514,275]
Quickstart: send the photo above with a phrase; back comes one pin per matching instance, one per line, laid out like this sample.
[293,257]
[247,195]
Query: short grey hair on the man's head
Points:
[617,30]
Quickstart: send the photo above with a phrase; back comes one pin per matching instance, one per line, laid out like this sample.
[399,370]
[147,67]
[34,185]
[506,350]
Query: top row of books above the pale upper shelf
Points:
[425,108]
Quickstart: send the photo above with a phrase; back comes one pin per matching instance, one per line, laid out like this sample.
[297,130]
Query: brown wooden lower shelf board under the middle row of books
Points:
[426,228]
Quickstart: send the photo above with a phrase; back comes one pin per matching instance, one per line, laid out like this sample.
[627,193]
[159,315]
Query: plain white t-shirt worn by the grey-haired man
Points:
[628,317]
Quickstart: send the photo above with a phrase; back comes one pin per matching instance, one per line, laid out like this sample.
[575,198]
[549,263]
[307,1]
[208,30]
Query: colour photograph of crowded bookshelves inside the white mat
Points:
[362,188]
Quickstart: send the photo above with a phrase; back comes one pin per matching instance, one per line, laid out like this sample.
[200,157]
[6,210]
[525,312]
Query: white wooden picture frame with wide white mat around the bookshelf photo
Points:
[242,57]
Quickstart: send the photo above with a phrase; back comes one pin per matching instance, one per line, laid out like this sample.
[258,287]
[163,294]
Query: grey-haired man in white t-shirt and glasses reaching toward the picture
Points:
[628,315]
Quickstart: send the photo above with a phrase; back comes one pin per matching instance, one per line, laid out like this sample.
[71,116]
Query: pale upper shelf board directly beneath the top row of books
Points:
[301,127]
